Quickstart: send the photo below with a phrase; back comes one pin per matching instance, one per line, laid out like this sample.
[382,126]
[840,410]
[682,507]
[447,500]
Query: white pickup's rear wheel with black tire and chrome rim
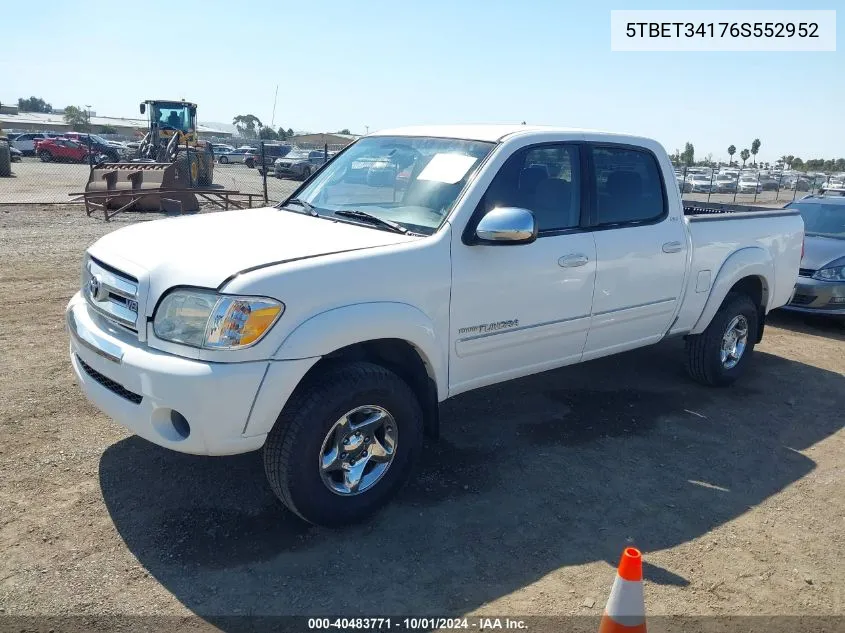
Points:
[718,355]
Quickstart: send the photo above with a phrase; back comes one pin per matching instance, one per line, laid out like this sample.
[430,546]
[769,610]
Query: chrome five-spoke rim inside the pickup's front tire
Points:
[358,450]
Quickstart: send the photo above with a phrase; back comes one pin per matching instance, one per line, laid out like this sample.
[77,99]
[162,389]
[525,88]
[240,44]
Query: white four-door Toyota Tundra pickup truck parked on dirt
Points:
[417,264]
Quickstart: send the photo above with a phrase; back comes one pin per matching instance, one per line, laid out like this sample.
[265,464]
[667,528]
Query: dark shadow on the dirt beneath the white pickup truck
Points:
[530,477]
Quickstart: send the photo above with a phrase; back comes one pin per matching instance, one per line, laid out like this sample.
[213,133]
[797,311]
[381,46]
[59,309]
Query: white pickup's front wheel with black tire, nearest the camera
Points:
[344,444]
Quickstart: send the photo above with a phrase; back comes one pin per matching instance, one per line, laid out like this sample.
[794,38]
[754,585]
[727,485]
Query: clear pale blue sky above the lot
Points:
[373,64]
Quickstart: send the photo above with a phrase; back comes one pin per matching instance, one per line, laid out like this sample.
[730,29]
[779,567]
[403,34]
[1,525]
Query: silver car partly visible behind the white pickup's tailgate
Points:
[821,278]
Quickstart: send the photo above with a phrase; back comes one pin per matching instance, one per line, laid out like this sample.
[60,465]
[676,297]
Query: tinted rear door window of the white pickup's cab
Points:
[629,188]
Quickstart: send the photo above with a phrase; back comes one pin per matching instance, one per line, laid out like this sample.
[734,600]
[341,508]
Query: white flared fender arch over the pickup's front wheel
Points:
[340,327]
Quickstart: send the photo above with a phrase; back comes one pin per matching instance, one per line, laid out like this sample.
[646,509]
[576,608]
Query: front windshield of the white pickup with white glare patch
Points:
[412,181]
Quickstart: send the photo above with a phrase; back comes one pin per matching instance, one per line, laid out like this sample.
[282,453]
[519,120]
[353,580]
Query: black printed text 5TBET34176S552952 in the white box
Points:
[722,29]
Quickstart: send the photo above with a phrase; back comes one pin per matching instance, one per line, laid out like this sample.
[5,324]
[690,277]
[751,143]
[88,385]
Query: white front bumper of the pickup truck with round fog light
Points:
[229,407]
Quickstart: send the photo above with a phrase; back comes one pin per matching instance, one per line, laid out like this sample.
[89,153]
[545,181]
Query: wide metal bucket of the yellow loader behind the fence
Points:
[125,181]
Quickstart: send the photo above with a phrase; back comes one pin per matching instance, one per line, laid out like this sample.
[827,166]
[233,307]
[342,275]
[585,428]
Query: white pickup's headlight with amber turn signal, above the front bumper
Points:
[203,318]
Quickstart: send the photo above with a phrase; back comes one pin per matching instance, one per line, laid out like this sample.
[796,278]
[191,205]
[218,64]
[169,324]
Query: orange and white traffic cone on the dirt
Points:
[625,610]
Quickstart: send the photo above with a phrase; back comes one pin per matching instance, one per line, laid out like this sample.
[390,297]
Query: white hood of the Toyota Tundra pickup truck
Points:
[205,250]
